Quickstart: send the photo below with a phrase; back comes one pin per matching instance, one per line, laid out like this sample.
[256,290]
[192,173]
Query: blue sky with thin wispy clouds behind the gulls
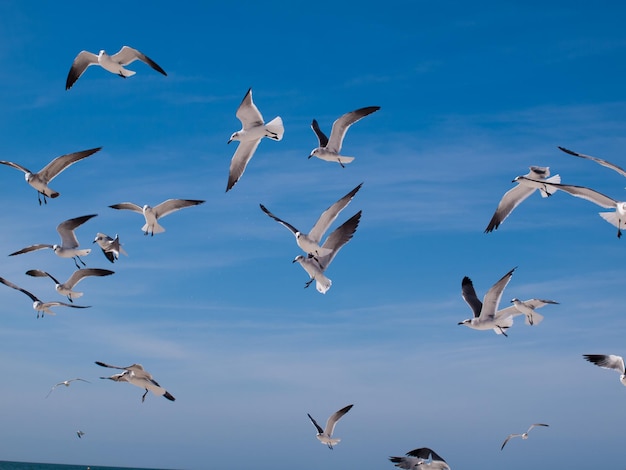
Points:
[471,95]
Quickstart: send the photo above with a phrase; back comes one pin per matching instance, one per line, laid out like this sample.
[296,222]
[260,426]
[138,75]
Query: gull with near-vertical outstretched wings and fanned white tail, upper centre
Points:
[253,130]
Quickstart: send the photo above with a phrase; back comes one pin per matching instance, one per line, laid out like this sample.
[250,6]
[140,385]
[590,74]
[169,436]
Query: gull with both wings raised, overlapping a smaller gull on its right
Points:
[485,317]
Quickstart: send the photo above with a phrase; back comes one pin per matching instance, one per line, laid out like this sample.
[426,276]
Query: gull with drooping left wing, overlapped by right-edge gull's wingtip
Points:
[526,185]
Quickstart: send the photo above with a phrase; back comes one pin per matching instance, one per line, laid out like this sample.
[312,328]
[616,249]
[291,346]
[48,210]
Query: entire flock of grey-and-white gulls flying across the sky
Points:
[316,256]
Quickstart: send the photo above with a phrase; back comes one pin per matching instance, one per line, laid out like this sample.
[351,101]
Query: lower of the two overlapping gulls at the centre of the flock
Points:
[316,267]
